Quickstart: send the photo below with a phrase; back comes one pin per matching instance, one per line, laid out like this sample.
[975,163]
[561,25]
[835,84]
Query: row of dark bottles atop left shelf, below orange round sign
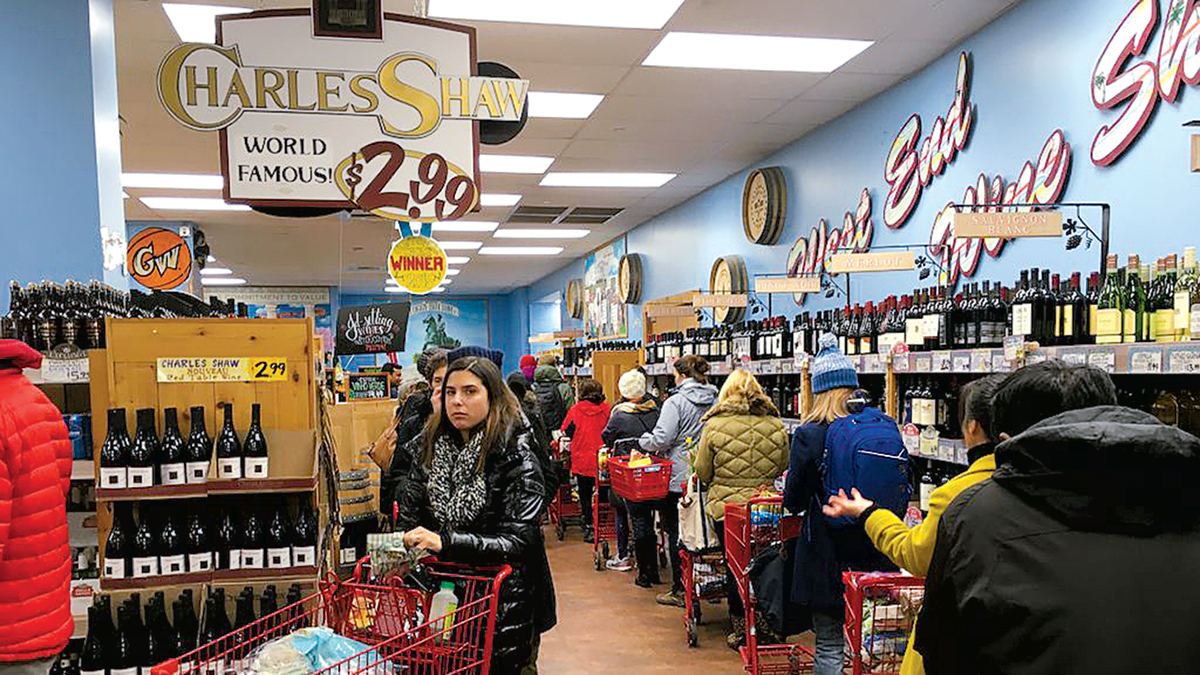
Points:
[47,315]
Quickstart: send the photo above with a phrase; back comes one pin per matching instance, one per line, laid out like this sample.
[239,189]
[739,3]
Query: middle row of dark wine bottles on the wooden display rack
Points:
[244,540]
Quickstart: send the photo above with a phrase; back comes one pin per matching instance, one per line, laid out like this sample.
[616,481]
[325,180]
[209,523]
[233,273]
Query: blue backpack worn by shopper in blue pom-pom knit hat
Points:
[866,451]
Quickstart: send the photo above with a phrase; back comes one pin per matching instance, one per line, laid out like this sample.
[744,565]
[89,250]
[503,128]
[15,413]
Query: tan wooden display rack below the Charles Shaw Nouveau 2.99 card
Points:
[125,375]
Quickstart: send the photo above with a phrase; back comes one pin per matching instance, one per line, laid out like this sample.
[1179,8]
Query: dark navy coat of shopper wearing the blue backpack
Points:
[823,552]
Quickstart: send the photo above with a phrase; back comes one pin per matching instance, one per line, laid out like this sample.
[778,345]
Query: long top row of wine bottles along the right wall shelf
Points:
[1139,303]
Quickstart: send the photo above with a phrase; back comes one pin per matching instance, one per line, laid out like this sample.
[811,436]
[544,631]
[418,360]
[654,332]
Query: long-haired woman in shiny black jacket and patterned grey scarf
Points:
[477,495]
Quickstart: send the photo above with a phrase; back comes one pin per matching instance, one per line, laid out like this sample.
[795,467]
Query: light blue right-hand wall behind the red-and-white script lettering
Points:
[1031,76]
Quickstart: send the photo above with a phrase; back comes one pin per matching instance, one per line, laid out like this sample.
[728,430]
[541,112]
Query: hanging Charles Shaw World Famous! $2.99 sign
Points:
[388,126]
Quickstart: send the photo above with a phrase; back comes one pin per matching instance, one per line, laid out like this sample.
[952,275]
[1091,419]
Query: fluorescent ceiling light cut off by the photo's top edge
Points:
[610,14]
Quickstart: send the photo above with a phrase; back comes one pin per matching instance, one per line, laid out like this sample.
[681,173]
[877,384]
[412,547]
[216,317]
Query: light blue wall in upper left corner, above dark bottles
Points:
[57,182]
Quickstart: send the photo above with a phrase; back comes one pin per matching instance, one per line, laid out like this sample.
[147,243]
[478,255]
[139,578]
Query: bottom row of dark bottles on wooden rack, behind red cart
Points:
[135,646]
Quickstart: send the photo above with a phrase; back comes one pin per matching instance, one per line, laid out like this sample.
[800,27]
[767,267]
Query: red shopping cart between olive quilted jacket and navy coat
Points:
[751,528]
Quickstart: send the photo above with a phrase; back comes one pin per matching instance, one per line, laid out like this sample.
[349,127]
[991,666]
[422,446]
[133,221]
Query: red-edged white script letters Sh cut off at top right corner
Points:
[1139,86]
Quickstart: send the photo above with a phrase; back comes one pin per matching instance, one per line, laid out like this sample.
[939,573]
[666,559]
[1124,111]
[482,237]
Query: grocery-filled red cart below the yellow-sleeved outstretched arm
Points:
[881,608]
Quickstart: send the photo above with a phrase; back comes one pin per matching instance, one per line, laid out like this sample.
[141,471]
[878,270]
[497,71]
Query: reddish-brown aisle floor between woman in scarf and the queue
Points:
[609,625]
